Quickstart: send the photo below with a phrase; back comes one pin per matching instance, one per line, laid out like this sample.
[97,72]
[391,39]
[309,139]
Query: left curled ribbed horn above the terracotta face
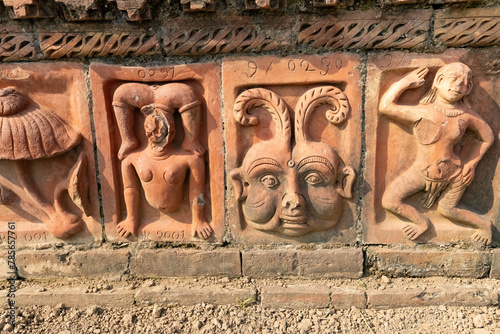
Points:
[264,98]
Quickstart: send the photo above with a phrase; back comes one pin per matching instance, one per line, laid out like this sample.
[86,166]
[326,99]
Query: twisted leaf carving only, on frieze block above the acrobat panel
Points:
[220,39]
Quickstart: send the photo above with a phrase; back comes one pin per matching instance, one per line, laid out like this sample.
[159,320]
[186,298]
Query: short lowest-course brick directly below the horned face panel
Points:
[295,296]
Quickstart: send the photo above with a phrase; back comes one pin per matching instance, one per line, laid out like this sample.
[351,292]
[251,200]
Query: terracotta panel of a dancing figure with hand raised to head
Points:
[432,147]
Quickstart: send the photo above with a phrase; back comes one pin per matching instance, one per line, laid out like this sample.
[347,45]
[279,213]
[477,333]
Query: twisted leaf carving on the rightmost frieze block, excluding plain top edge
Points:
[468,31]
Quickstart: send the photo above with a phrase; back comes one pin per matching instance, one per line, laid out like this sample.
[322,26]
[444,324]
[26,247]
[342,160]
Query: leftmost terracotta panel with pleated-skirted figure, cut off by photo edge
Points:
[47,176]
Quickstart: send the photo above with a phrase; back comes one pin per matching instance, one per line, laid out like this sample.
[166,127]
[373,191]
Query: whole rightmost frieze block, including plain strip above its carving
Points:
[475,27]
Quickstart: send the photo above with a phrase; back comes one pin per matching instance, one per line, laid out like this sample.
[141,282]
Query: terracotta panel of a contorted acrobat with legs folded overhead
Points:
[160,151]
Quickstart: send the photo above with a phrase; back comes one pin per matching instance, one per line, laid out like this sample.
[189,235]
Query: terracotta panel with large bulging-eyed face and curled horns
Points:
[293,147]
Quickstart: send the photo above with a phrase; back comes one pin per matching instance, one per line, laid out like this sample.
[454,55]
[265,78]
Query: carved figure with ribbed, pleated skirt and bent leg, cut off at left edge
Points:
[30,133]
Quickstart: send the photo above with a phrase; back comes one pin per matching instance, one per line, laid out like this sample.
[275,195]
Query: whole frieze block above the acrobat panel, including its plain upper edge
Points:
[197,38]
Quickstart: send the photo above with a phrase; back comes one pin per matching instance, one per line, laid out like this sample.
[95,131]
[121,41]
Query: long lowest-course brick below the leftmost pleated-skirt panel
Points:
[73,297]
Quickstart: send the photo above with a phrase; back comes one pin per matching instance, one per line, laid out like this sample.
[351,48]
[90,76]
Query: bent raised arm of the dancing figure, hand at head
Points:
[388,103]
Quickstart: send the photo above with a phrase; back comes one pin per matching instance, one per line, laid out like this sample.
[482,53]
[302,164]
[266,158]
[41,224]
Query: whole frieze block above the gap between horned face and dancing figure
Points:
[366,30]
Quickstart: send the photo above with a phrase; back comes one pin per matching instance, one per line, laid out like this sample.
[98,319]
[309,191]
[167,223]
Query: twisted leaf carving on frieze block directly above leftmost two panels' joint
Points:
[95,44]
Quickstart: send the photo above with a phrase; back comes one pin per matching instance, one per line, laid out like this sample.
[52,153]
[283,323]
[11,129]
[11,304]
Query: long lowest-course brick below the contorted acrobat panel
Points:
[194,295]
